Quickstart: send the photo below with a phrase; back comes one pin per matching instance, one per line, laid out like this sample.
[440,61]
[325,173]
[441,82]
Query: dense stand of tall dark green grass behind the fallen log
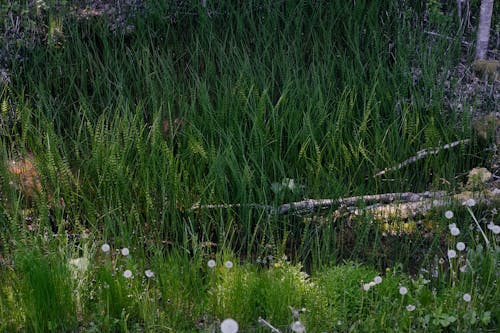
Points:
[322,94]
